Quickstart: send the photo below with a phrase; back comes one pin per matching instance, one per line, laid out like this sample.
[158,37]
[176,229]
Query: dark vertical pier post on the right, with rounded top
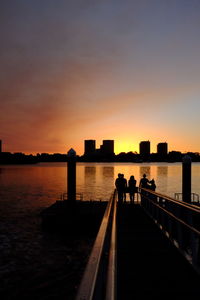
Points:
[186,179]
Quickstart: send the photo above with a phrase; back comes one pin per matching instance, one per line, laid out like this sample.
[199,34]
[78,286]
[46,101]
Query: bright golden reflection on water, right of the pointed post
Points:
[99,178]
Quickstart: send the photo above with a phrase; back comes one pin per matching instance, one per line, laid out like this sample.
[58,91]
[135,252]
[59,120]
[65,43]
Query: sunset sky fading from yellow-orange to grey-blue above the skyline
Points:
[126,70]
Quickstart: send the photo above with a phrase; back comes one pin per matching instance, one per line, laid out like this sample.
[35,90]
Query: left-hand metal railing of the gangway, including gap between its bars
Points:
[99,278]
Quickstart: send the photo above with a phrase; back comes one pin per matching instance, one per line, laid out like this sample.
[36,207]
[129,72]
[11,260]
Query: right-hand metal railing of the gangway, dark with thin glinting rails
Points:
[180,222]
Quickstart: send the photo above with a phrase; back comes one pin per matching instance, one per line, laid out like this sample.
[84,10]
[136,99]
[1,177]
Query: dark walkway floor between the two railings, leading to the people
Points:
[148,264]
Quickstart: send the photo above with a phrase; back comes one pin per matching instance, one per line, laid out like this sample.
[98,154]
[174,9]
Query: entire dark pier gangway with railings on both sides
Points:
[147,249]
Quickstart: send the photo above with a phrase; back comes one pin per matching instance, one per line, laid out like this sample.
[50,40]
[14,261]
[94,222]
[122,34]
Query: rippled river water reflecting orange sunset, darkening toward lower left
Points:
[25,250]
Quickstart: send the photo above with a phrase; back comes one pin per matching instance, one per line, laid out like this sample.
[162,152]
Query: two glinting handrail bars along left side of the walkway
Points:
[89,281]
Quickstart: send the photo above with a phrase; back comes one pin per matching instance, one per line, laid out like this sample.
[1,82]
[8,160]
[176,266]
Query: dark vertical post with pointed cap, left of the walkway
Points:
[71,175]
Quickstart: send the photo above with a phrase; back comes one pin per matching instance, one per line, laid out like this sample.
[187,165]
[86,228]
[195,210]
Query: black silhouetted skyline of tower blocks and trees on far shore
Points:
[105,153]
